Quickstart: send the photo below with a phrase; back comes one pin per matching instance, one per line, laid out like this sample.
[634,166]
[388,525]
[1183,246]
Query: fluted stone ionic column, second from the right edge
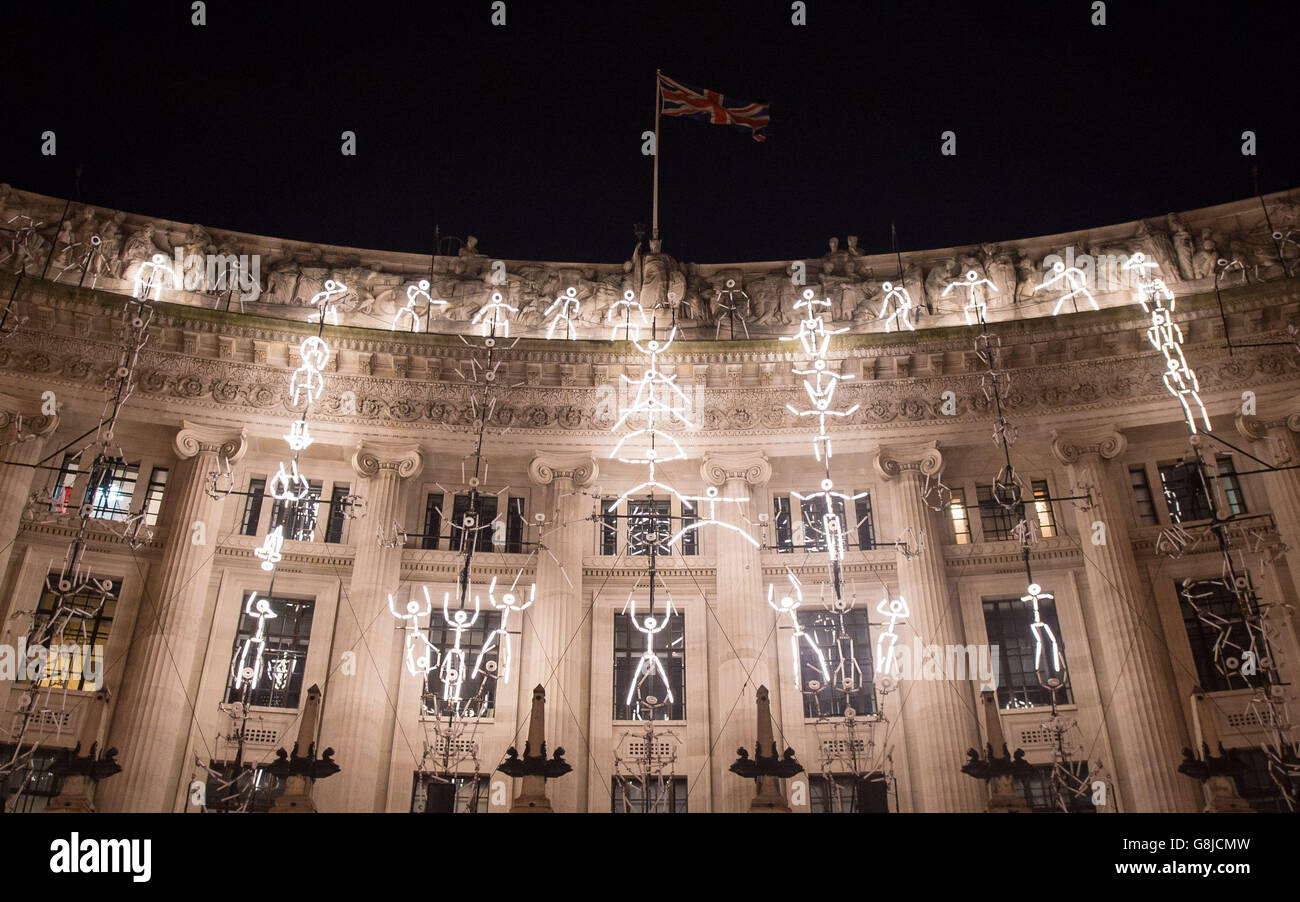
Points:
[1129,649]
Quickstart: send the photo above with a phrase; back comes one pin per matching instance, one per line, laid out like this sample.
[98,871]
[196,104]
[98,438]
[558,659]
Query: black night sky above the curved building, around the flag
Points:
[528,136]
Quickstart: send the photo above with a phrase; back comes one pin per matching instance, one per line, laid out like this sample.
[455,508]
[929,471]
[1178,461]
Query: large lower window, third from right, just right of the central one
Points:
[844,664]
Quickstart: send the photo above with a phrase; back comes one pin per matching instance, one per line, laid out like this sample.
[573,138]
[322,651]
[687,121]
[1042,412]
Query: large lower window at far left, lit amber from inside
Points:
[79,643]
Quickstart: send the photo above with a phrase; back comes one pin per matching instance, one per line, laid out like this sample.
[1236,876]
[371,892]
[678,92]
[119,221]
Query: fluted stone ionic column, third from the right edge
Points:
[937,714]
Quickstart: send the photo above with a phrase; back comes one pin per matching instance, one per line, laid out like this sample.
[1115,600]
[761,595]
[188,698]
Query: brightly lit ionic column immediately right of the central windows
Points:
[742,627]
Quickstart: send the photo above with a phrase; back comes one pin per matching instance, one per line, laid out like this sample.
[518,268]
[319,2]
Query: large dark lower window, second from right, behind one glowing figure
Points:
[1008,625]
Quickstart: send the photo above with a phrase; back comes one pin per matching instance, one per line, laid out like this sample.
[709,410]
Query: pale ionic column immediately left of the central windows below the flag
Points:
[553,649]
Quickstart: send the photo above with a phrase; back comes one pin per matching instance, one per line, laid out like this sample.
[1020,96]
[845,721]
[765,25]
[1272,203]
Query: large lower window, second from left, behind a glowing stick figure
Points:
[283,652]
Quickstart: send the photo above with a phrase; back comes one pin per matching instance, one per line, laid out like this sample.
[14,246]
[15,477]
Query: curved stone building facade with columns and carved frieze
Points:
[401,428]
